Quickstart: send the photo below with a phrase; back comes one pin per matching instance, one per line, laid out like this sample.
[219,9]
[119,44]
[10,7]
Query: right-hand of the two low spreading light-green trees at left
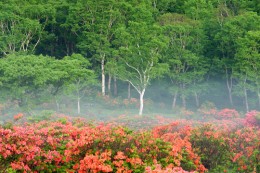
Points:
[72,74]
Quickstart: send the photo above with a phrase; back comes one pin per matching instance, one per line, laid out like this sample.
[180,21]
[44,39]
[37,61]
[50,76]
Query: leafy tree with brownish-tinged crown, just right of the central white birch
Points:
[183,53]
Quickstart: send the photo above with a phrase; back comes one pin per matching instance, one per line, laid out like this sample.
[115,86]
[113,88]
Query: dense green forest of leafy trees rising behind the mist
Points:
[176,53]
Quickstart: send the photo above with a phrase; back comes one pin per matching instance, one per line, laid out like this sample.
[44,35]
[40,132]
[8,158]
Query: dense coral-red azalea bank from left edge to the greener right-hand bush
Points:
[69,147]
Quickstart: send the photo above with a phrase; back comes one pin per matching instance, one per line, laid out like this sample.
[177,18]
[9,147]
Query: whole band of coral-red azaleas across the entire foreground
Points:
[69,145]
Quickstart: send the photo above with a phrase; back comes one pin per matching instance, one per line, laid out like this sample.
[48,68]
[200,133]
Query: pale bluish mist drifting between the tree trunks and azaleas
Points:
[158,101]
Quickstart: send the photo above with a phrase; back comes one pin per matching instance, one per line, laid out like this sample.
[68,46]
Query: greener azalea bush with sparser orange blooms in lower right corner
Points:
[224,150]
